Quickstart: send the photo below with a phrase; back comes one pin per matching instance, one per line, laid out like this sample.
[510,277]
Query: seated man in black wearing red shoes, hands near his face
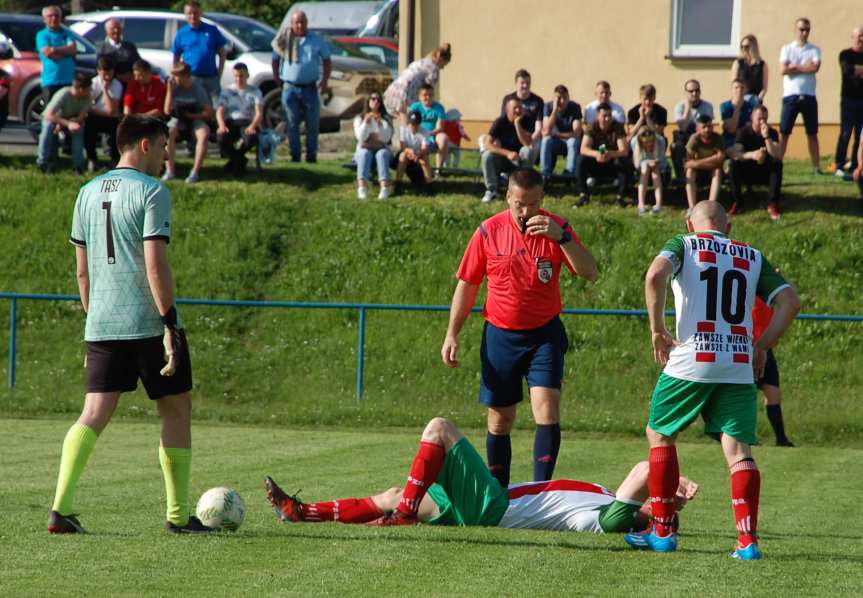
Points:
[757,160]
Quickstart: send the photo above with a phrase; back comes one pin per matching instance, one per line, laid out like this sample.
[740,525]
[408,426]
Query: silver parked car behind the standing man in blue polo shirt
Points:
[248,42]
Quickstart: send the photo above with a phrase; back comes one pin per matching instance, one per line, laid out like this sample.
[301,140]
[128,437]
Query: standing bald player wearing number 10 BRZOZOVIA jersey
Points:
[709,366]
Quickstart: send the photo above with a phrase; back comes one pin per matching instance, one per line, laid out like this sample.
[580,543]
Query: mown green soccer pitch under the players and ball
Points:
[809,522]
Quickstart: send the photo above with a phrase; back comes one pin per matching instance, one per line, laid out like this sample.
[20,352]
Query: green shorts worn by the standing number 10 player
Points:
[726,408]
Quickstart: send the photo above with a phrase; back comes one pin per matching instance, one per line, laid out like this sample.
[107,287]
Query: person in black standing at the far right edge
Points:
[850,103]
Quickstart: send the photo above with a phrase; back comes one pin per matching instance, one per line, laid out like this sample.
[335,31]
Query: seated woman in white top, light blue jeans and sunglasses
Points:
[374,131]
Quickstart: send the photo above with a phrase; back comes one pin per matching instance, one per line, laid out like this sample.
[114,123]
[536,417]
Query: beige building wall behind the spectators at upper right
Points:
[627,44]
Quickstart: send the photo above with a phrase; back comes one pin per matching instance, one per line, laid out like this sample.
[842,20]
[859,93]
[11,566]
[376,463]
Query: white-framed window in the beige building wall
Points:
[705,28]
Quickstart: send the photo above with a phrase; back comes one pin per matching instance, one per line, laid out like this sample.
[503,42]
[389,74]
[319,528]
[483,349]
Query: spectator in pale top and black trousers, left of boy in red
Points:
[104,115]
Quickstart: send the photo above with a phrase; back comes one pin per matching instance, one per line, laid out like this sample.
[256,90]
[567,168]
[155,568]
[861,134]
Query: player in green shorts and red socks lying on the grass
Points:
[449,484]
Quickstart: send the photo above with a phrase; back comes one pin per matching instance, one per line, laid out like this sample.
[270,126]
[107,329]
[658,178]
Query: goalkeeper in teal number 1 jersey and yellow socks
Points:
[121,227]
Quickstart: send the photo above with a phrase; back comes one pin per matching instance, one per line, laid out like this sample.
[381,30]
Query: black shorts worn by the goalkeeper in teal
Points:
[115,366]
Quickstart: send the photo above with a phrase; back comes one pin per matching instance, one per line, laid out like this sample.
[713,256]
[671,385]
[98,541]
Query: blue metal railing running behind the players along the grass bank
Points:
[362,308]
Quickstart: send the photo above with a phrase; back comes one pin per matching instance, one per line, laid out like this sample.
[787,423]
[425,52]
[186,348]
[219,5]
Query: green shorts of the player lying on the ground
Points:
[466,493]
